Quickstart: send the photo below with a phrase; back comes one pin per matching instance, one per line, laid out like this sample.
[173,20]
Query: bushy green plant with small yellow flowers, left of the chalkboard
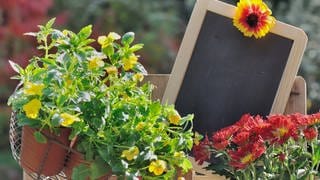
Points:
[98,94]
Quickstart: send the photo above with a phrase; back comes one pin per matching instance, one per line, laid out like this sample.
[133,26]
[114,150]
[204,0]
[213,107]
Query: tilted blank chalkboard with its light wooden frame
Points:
[219,74]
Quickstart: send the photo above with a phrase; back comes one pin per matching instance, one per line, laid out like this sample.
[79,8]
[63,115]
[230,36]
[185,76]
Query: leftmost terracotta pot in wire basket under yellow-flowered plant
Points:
[44,158]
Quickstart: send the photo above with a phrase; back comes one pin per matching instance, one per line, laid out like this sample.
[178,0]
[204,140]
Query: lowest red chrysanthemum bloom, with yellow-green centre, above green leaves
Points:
[247,154]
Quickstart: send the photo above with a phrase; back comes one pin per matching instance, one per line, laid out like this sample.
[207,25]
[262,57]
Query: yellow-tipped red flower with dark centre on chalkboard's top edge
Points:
[253,18]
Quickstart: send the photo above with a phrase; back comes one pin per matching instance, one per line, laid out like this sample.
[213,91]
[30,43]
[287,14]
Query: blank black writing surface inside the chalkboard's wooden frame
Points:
[228,75]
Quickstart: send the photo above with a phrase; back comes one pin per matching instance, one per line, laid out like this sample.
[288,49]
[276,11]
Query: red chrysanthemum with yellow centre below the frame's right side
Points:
[281,129]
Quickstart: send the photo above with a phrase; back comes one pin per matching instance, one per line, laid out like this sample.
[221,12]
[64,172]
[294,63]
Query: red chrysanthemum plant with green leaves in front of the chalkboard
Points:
[278,147]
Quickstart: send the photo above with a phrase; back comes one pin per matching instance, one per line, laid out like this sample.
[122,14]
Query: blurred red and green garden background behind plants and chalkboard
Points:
[159,24]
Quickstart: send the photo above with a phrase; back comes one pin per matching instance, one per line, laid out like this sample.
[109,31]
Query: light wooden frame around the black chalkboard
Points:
[190,38]
